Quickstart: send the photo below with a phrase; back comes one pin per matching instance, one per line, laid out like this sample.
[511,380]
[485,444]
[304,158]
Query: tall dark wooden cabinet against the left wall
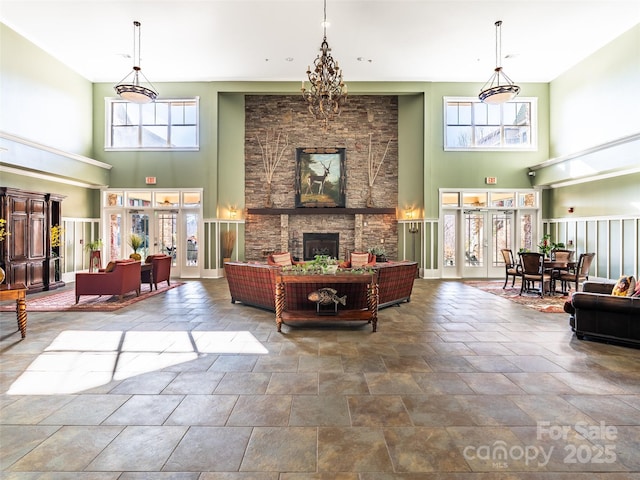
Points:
[27,255]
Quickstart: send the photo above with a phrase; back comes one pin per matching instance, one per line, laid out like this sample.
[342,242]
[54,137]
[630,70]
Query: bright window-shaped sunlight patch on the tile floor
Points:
[77,361]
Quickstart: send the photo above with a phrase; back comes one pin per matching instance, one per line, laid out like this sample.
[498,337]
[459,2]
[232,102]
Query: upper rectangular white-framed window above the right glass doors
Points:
[473,125]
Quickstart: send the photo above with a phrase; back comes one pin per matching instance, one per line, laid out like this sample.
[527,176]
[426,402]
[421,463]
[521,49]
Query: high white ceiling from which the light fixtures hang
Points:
[275,40]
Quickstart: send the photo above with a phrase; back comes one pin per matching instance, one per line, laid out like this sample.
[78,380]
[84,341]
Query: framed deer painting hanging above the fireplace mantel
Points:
[320,177]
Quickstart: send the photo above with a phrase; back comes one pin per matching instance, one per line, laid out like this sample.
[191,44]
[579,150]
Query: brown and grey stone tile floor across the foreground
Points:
[456,384]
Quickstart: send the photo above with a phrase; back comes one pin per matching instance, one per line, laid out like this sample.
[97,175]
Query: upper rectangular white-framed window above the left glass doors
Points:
[159,125]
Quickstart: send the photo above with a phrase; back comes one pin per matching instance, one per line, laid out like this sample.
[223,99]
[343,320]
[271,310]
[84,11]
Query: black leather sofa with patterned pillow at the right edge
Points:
[598,314]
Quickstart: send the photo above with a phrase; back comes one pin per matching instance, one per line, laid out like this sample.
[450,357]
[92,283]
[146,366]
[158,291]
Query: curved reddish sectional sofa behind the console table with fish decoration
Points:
[254,284]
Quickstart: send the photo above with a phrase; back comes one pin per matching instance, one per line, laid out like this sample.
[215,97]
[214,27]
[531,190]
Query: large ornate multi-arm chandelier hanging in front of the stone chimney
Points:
[327,92]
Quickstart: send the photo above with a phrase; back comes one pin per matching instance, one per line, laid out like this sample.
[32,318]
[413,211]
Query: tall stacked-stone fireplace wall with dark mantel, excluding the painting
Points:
[277,125]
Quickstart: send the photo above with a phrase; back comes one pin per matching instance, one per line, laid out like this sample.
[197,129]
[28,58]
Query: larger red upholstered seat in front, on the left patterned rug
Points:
[124,278]
